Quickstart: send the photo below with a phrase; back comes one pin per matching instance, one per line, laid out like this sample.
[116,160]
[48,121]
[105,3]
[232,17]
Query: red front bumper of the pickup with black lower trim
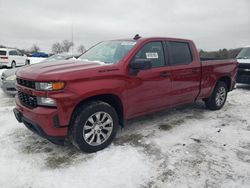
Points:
[43,121]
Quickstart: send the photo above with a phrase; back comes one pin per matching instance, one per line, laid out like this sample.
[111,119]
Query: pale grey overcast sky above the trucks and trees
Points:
[212,24]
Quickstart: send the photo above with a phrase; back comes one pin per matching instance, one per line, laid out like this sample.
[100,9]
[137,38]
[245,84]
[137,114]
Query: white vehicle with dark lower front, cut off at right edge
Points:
[244,66]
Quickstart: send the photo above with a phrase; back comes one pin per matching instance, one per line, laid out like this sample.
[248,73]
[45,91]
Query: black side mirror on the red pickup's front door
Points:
[140,64]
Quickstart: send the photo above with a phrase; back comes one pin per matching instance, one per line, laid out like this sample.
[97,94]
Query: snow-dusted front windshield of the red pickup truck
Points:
[109,52]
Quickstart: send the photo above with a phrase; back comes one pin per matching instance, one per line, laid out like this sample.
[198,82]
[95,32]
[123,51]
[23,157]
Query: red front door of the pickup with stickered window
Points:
[149,90]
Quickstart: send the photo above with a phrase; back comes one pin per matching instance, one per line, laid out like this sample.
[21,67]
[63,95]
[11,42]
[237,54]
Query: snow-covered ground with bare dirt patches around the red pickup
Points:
[189,146]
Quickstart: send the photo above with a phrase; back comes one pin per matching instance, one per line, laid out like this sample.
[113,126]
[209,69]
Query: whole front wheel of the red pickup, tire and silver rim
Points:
[94,126]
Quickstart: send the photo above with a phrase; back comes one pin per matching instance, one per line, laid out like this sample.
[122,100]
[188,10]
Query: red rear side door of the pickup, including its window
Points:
[185,72]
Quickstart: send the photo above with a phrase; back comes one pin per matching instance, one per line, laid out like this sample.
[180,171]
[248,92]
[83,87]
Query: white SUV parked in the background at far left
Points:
[12,58]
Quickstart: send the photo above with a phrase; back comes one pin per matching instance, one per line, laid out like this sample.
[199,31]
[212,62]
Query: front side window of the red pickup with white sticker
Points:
[153,51]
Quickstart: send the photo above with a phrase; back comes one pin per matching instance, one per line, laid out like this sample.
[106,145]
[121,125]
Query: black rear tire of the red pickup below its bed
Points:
[211,101]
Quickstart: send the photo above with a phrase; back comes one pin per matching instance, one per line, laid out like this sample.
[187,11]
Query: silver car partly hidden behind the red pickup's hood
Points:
[8,77]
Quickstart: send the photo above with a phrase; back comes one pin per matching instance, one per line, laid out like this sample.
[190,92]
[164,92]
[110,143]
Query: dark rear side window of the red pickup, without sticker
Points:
[180,53]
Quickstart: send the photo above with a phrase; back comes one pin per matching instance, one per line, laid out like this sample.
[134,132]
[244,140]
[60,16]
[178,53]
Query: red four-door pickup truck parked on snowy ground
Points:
[86,100]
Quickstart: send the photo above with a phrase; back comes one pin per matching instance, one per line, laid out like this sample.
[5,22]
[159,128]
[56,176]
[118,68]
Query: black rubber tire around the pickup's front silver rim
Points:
[81,118]
